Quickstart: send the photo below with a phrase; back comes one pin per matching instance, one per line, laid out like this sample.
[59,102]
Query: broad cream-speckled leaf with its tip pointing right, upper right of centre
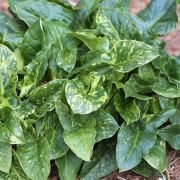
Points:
[132,54]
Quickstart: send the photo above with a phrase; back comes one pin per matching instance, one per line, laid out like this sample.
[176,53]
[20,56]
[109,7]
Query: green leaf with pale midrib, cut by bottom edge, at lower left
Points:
[34,158]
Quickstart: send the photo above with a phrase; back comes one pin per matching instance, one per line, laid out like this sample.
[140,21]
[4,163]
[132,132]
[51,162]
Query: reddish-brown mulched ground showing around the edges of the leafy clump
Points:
[173,47]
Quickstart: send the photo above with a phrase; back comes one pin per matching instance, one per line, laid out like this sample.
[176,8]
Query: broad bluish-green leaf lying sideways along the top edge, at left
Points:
[30,12]
